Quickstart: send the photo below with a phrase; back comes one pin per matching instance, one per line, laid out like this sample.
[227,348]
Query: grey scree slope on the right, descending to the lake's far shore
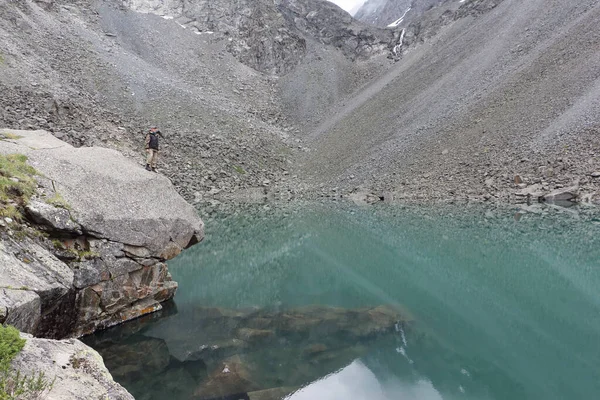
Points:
[513,91]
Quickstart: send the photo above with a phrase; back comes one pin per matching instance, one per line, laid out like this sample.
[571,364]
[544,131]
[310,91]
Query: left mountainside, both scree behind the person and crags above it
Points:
[208,73]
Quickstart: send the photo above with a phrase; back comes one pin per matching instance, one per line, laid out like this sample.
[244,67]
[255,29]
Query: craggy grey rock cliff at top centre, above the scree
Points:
[272,36]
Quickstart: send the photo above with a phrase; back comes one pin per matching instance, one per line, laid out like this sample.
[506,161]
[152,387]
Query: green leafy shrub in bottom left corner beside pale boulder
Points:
[13,384]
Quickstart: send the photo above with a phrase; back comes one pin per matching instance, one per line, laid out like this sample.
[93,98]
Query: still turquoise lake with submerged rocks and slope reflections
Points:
[301,303]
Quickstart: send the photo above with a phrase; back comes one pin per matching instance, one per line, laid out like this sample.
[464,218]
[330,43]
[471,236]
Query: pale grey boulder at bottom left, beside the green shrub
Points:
[77,370]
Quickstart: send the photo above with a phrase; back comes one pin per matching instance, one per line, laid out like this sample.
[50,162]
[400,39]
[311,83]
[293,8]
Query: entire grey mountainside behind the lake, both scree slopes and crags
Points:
[271,97]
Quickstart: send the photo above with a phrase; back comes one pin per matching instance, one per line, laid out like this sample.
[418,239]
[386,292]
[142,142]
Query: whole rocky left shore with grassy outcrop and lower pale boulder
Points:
[85,234]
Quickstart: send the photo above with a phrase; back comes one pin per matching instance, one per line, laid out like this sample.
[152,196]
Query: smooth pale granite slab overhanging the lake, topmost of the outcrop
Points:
[109,195]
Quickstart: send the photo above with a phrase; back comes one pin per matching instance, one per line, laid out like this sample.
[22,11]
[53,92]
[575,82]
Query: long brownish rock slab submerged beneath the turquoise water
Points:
[219,333]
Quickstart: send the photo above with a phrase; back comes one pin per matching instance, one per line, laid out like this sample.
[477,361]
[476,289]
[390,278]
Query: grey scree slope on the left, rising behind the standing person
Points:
[100,74]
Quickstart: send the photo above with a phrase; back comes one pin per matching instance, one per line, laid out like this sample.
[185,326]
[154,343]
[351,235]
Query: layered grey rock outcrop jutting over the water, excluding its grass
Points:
[106,227]
